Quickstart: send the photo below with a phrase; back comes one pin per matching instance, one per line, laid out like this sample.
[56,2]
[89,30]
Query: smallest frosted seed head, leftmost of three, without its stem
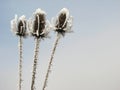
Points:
[18,26]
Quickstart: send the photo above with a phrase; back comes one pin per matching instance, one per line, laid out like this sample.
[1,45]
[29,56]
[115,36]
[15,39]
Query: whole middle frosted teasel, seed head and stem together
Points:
[39,29]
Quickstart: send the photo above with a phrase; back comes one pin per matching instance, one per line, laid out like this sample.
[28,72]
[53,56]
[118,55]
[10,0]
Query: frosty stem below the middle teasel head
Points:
[35,62]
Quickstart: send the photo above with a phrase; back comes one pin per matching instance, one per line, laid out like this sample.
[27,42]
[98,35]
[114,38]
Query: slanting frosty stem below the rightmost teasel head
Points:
[50,61]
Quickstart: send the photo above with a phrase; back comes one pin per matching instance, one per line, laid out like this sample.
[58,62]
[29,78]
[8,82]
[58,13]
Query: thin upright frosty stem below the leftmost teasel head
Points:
[20,63]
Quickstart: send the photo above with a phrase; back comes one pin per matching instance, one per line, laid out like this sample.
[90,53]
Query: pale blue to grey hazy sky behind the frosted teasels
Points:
[88,59]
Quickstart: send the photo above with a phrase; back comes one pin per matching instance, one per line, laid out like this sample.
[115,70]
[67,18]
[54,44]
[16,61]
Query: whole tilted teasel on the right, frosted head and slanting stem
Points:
[62,24]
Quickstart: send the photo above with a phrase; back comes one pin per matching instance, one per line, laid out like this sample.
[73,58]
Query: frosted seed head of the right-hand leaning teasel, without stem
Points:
[63,22]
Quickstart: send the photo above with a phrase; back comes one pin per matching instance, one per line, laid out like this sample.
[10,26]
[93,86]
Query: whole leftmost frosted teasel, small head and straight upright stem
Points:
[18,27]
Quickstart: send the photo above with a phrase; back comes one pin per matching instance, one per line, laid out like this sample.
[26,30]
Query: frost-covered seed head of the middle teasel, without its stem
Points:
[38,26]
